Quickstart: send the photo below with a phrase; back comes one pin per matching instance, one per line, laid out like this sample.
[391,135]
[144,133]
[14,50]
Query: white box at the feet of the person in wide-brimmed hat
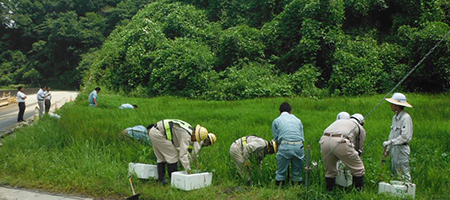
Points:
[398,188]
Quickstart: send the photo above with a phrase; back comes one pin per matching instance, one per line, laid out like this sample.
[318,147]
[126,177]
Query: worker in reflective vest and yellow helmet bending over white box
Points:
[170,139]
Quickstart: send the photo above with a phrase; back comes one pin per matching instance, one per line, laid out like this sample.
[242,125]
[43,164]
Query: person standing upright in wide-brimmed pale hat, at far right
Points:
[400,137]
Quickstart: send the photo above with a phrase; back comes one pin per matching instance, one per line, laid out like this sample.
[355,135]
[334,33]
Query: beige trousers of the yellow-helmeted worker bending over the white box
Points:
[163,148]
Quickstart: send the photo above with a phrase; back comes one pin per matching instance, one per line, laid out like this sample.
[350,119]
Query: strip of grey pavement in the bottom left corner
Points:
[22,194]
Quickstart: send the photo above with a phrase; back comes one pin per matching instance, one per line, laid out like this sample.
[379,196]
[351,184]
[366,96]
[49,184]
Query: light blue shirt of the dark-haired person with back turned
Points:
[287,127]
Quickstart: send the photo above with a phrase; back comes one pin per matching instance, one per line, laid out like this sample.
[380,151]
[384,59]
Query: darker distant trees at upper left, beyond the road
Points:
[44,40]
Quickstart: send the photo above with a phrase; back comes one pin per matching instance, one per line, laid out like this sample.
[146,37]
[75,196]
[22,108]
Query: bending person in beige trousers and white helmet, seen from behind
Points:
[344,140]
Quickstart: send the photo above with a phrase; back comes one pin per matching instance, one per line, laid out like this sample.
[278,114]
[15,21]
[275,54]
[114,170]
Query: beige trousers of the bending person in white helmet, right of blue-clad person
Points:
[344,151]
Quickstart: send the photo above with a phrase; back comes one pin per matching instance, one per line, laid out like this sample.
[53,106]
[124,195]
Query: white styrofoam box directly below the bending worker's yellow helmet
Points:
[183,180]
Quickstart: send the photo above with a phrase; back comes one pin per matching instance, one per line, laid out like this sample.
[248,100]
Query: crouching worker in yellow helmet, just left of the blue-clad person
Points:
[246,148]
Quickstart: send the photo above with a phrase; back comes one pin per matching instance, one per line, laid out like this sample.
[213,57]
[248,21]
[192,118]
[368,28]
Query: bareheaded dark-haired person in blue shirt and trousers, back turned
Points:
[287,131]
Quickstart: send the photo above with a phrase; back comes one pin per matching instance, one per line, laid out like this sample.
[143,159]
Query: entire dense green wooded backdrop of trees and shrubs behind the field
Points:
[232,49]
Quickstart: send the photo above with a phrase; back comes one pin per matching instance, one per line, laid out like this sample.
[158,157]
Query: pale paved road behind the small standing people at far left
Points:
[8,114]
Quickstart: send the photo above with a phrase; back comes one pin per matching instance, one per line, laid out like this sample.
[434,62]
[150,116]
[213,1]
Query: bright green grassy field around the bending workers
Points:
[82,154]
